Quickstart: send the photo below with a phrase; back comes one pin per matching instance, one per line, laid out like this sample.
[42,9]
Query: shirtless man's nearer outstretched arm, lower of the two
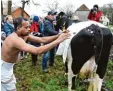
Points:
[21,45]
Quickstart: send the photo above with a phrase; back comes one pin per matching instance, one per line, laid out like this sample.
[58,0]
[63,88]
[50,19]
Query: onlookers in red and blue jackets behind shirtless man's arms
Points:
[40,29]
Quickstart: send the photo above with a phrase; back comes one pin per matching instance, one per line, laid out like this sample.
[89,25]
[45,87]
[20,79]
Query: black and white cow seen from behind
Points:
[88,51]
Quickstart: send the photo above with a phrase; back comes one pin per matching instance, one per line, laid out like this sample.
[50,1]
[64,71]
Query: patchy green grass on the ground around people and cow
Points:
[31,78]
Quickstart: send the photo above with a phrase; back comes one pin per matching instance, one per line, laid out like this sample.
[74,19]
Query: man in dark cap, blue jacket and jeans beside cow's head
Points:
[49,30]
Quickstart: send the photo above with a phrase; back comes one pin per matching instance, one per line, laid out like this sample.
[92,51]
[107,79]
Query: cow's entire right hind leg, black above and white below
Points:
[96,82]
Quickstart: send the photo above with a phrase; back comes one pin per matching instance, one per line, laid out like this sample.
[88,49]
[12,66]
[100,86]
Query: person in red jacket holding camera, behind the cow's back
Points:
[95,14]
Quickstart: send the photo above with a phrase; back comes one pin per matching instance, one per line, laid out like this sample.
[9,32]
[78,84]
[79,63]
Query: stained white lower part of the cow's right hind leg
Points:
[95,83]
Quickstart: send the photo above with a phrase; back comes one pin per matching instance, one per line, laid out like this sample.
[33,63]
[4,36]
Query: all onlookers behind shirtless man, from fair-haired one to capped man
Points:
[39,28]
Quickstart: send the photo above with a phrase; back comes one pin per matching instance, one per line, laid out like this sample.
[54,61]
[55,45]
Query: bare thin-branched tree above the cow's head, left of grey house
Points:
[69,9]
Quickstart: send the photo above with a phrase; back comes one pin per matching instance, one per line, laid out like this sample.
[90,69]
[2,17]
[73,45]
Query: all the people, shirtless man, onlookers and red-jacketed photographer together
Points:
[23,35]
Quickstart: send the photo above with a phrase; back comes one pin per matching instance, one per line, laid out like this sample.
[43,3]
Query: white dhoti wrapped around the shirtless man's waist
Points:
[8,81]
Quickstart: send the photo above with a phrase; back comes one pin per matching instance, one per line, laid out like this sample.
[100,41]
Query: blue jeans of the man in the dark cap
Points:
[46,56]
